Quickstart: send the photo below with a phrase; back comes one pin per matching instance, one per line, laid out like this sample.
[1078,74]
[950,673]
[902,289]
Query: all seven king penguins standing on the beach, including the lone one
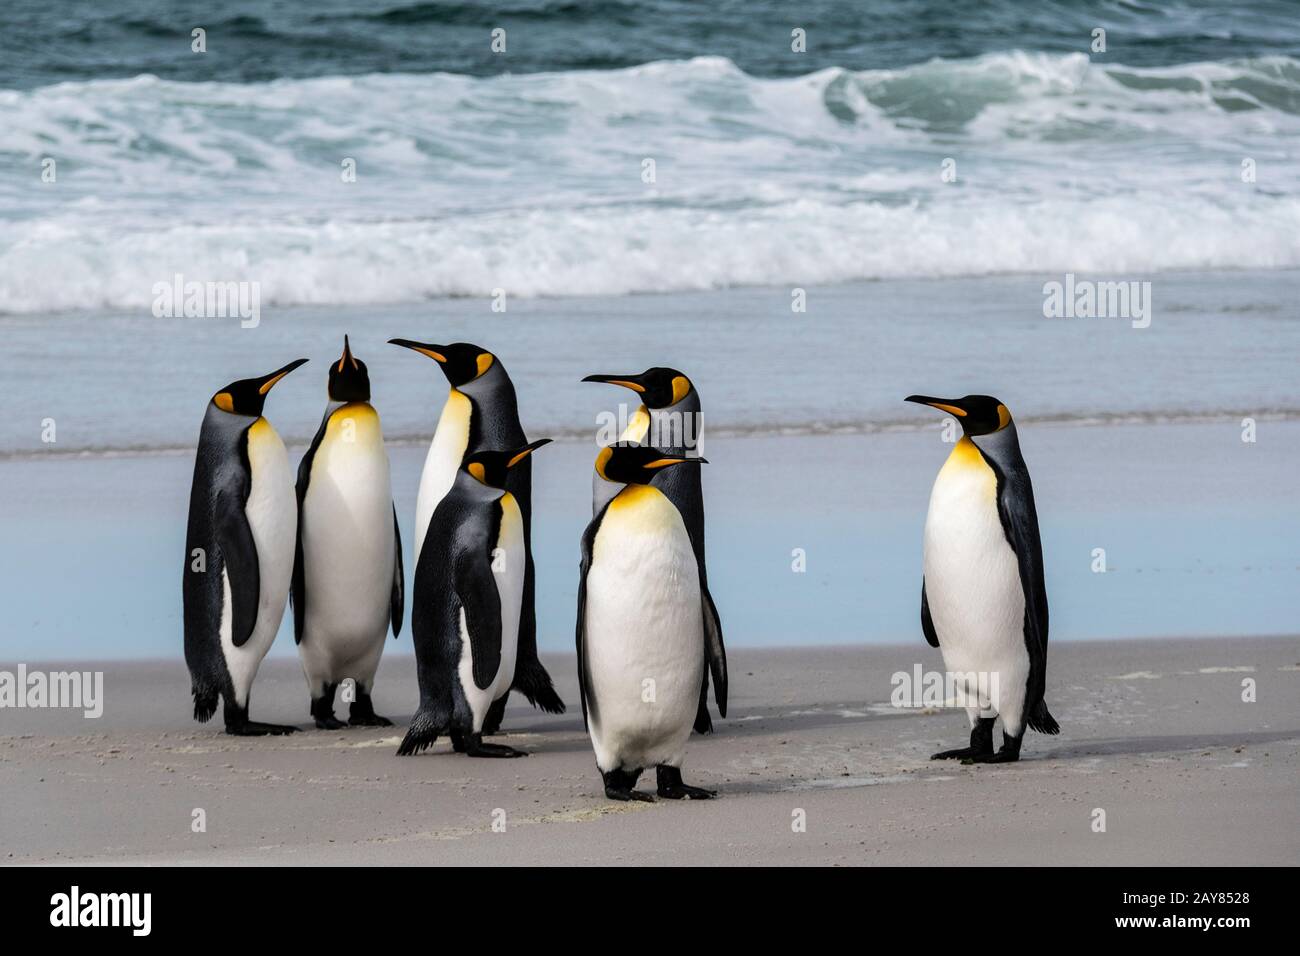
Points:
[649,638]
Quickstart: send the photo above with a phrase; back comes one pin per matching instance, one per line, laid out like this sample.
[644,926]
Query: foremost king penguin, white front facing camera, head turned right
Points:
[642,629]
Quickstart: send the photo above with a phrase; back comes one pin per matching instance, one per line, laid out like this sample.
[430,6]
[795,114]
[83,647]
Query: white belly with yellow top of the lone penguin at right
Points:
[973,582]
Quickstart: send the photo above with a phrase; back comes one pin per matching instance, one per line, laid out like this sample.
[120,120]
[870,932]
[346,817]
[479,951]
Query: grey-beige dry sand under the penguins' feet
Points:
[1154,733]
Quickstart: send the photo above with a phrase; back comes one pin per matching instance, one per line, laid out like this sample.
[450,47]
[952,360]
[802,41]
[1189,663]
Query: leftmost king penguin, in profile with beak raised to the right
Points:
[240,551]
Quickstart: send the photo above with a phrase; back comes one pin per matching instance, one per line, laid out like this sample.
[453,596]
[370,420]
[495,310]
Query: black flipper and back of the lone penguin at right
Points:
[1021,526]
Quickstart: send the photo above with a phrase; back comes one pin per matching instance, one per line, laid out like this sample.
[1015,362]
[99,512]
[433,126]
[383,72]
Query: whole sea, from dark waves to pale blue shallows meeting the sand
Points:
[1173,159]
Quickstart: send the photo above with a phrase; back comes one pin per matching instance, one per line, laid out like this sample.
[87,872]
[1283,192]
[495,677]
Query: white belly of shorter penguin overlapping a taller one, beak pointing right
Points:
[509,574]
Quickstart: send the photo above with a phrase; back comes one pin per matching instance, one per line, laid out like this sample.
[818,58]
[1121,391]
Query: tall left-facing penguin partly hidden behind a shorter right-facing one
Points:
[482,414]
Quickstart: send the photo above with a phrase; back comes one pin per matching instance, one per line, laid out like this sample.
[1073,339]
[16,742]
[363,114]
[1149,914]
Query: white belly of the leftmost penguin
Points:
[272,512]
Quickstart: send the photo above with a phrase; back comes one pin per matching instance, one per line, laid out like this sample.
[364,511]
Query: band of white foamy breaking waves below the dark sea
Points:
[534,183]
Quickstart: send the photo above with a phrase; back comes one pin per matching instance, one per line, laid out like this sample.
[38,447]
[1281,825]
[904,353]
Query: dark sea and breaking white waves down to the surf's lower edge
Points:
[527,171]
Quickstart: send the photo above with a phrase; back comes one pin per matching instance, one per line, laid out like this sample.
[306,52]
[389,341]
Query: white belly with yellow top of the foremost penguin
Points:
[644,634]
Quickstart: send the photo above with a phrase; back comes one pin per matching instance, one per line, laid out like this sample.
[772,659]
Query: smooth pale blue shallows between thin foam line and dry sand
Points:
[1201,534]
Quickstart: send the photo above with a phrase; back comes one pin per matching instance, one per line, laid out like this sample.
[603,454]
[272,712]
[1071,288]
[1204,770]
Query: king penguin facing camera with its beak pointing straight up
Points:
[348,572]
